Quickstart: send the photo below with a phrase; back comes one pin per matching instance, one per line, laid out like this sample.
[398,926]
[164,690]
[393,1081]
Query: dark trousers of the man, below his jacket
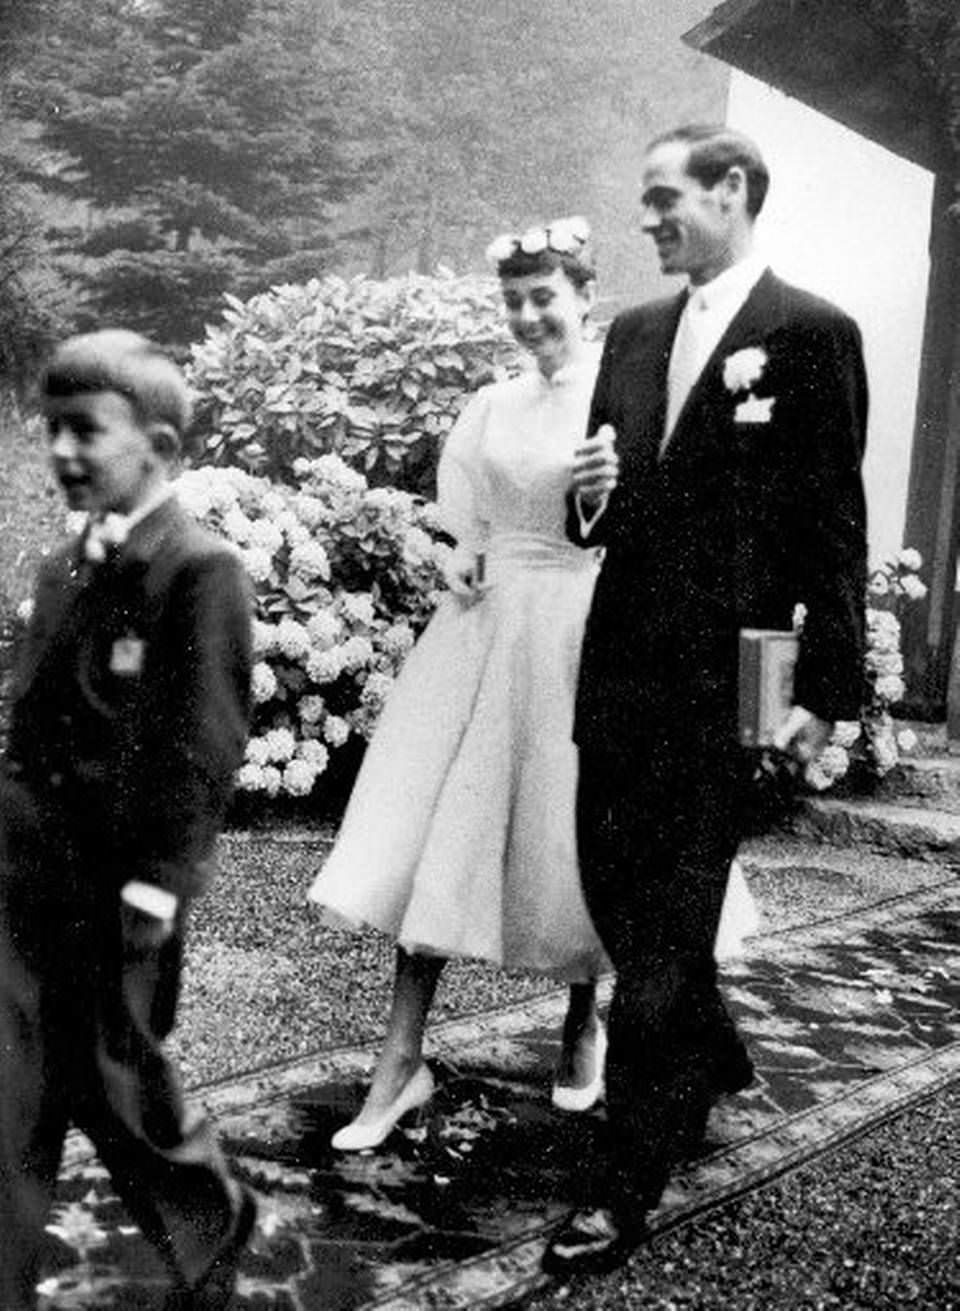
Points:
[658,837]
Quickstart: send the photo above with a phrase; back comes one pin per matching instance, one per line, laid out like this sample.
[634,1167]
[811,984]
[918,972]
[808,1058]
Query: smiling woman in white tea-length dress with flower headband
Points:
[460,836]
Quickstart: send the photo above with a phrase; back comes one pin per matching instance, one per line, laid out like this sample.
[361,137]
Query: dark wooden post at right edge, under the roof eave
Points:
[933,507]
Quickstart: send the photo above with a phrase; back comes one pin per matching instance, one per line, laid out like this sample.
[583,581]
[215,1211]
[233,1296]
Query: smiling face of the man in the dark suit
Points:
[692,225]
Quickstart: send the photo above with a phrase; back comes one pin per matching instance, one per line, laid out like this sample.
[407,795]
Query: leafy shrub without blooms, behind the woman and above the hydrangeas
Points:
[372,372]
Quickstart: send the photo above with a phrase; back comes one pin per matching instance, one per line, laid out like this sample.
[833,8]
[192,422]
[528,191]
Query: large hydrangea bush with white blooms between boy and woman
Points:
[346,577]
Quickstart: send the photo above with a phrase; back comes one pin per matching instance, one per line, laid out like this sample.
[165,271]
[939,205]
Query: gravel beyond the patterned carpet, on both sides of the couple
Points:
[267,981]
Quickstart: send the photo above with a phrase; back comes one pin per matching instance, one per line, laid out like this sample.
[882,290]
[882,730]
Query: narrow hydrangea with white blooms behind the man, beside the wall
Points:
[873,744]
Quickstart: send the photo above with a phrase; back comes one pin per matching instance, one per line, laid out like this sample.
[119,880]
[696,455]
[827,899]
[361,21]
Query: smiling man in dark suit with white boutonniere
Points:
[732,495]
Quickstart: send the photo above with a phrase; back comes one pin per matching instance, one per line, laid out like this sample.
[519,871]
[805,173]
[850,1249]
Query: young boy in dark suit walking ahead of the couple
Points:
[130,715]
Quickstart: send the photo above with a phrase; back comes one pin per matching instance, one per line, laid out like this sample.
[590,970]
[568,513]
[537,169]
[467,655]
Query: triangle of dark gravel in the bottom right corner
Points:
[870,1228]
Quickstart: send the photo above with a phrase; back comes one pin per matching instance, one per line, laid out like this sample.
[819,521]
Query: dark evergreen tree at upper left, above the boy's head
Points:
[204,141]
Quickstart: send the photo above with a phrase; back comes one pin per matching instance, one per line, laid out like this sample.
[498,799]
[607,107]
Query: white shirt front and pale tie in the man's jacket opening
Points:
[709,313]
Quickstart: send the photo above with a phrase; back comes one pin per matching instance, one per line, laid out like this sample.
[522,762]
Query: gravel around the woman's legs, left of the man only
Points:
[266,981]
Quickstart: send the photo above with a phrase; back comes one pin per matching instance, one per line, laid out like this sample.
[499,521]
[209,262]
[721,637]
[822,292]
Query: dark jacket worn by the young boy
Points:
[132,701]
